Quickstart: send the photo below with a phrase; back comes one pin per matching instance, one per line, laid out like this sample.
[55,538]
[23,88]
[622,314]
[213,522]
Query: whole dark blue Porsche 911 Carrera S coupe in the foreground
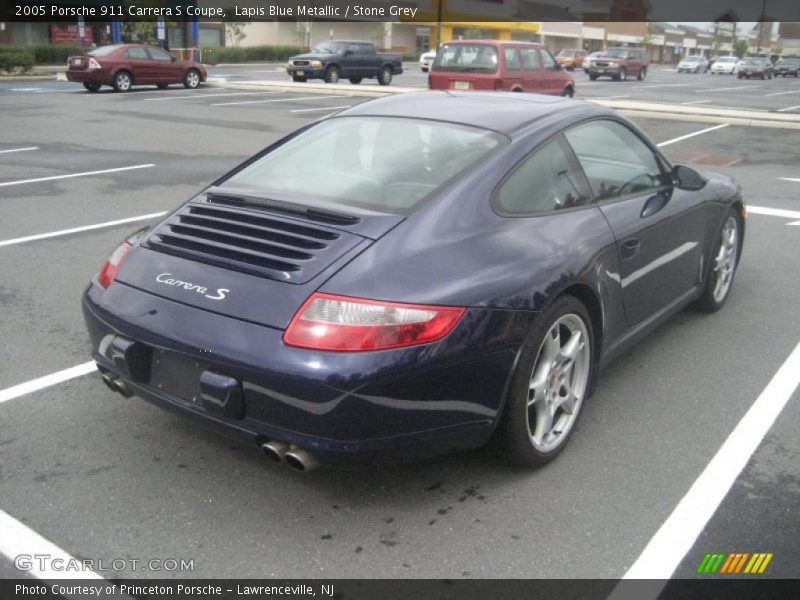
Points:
[415,275]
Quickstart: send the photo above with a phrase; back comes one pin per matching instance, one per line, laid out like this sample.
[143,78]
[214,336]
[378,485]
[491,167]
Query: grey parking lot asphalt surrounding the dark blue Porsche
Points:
[104,477]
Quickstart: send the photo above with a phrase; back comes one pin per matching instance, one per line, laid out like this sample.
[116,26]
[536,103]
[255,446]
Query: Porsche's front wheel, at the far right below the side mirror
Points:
[722,264]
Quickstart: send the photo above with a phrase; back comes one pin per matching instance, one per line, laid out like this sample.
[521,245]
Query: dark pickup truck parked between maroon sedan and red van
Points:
[353,60]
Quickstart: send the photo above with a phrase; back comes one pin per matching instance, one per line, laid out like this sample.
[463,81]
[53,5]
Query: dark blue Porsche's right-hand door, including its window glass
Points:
[659,229]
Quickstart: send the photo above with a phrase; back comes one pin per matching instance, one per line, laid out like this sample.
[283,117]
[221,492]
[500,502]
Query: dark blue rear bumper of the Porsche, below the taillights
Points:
[407,403]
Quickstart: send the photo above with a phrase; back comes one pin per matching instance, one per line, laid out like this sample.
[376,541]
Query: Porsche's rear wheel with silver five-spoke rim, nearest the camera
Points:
[564,369]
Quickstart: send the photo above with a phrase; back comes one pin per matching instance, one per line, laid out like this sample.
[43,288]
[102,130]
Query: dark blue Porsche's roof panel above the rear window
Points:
[504,112]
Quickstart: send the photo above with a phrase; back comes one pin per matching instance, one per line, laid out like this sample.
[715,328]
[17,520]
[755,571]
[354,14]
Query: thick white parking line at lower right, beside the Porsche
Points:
[680,531]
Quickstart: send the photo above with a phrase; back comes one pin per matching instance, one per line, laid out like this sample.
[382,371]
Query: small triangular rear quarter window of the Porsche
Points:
[543,182]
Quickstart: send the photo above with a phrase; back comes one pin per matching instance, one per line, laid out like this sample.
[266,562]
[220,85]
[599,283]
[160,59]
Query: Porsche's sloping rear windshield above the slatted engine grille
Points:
[381,163]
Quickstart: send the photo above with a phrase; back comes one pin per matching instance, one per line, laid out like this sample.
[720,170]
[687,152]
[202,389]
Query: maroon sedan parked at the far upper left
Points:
[124,65]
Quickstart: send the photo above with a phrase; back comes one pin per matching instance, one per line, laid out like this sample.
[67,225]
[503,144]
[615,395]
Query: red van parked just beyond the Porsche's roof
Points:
[496,65]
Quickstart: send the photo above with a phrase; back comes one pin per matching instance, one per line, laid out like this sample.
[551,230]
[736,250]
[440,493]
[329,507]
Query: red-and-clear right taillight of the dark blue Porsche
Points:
[328,322]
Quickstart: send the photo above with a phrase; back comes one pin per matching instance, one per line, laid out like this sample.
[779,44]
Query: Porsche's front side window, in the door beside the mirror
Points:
[616,161]
